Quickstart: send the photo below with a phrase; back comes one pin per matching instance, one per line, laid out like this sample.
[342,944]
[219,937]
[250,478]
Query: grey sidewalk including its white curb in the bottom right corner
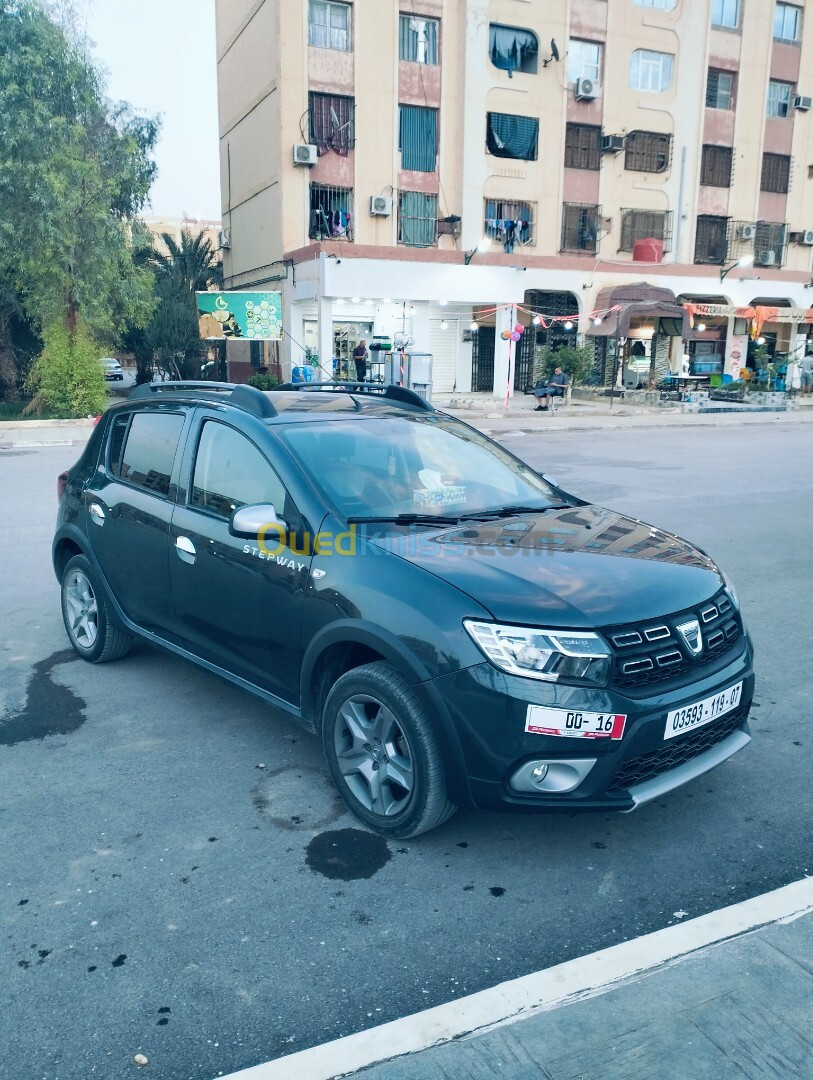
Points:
[728,995]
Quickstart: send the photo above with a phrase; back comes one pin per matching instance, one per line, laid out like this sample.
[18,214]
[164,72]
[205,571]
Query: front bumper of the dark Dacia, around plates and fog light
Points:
[489,711]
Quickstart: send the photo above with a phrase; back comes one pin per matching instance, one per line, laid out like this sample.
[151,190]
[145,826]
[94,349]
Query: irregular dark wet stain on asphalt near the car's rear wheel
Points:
[50,709]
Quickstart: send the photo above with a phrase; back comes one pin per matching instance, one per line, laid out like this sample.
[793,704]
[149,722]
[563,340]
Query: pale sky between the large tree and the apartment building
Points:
[160,57]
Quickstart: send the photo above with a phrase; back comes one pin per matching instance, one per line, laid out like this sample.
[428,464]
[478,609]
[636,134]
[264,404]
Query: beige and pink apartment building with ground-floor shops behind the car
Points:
[452,169]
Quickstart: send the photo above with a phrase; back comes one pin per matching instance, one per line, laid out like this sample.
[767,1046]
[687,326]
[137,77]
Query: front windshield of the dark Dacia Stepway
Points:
[427,466]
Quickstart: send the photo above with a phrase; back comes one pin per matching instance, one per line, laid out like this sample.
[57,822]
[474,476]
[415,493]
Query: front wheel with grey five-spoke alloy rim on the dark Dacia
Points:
[384,753]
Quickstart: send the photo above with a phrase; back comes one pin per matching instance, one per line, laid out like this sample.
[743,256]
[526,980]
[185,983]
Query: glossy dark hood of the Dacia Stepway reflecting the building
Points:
[580,568]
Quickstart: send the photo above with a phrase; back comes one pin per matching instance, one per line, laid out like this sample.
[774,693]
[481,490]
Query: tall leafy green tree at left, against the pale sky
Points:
[75,172]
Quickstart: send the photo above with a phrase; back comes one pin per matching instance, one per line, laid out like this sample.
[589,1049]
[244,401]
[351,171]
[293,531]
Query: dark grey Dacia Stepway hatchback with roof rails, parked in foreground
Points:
[458,629]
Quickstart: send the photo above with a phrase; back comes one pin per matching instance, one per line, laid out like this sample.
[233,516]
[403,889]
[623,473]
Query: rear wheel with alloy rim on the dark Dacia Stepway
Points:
[87,615]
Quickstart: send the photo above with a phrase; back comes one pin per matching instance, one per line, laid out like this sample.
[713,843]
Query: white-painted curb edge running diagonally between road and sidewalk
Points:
[545,991]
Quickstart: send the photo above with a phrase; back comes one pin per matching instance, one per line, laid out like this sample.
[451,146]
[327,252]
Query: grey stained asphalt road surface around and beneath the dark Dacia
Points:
[180,881]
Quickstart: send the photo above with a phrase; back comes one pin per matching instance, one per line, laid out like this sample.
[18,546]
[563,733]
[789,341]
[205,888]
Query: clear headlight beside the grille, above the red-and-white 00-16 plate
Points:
[551,655]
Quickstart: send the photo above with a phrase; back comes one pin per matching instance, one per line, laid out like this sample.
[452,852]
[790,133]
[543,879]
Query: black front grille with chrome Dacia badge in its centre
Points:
[655,652]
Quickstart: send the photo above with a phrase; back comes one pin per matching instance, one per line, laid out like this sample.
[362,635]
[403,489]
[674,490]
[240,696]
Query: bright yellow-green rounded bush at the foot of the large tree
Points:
[67,377]
